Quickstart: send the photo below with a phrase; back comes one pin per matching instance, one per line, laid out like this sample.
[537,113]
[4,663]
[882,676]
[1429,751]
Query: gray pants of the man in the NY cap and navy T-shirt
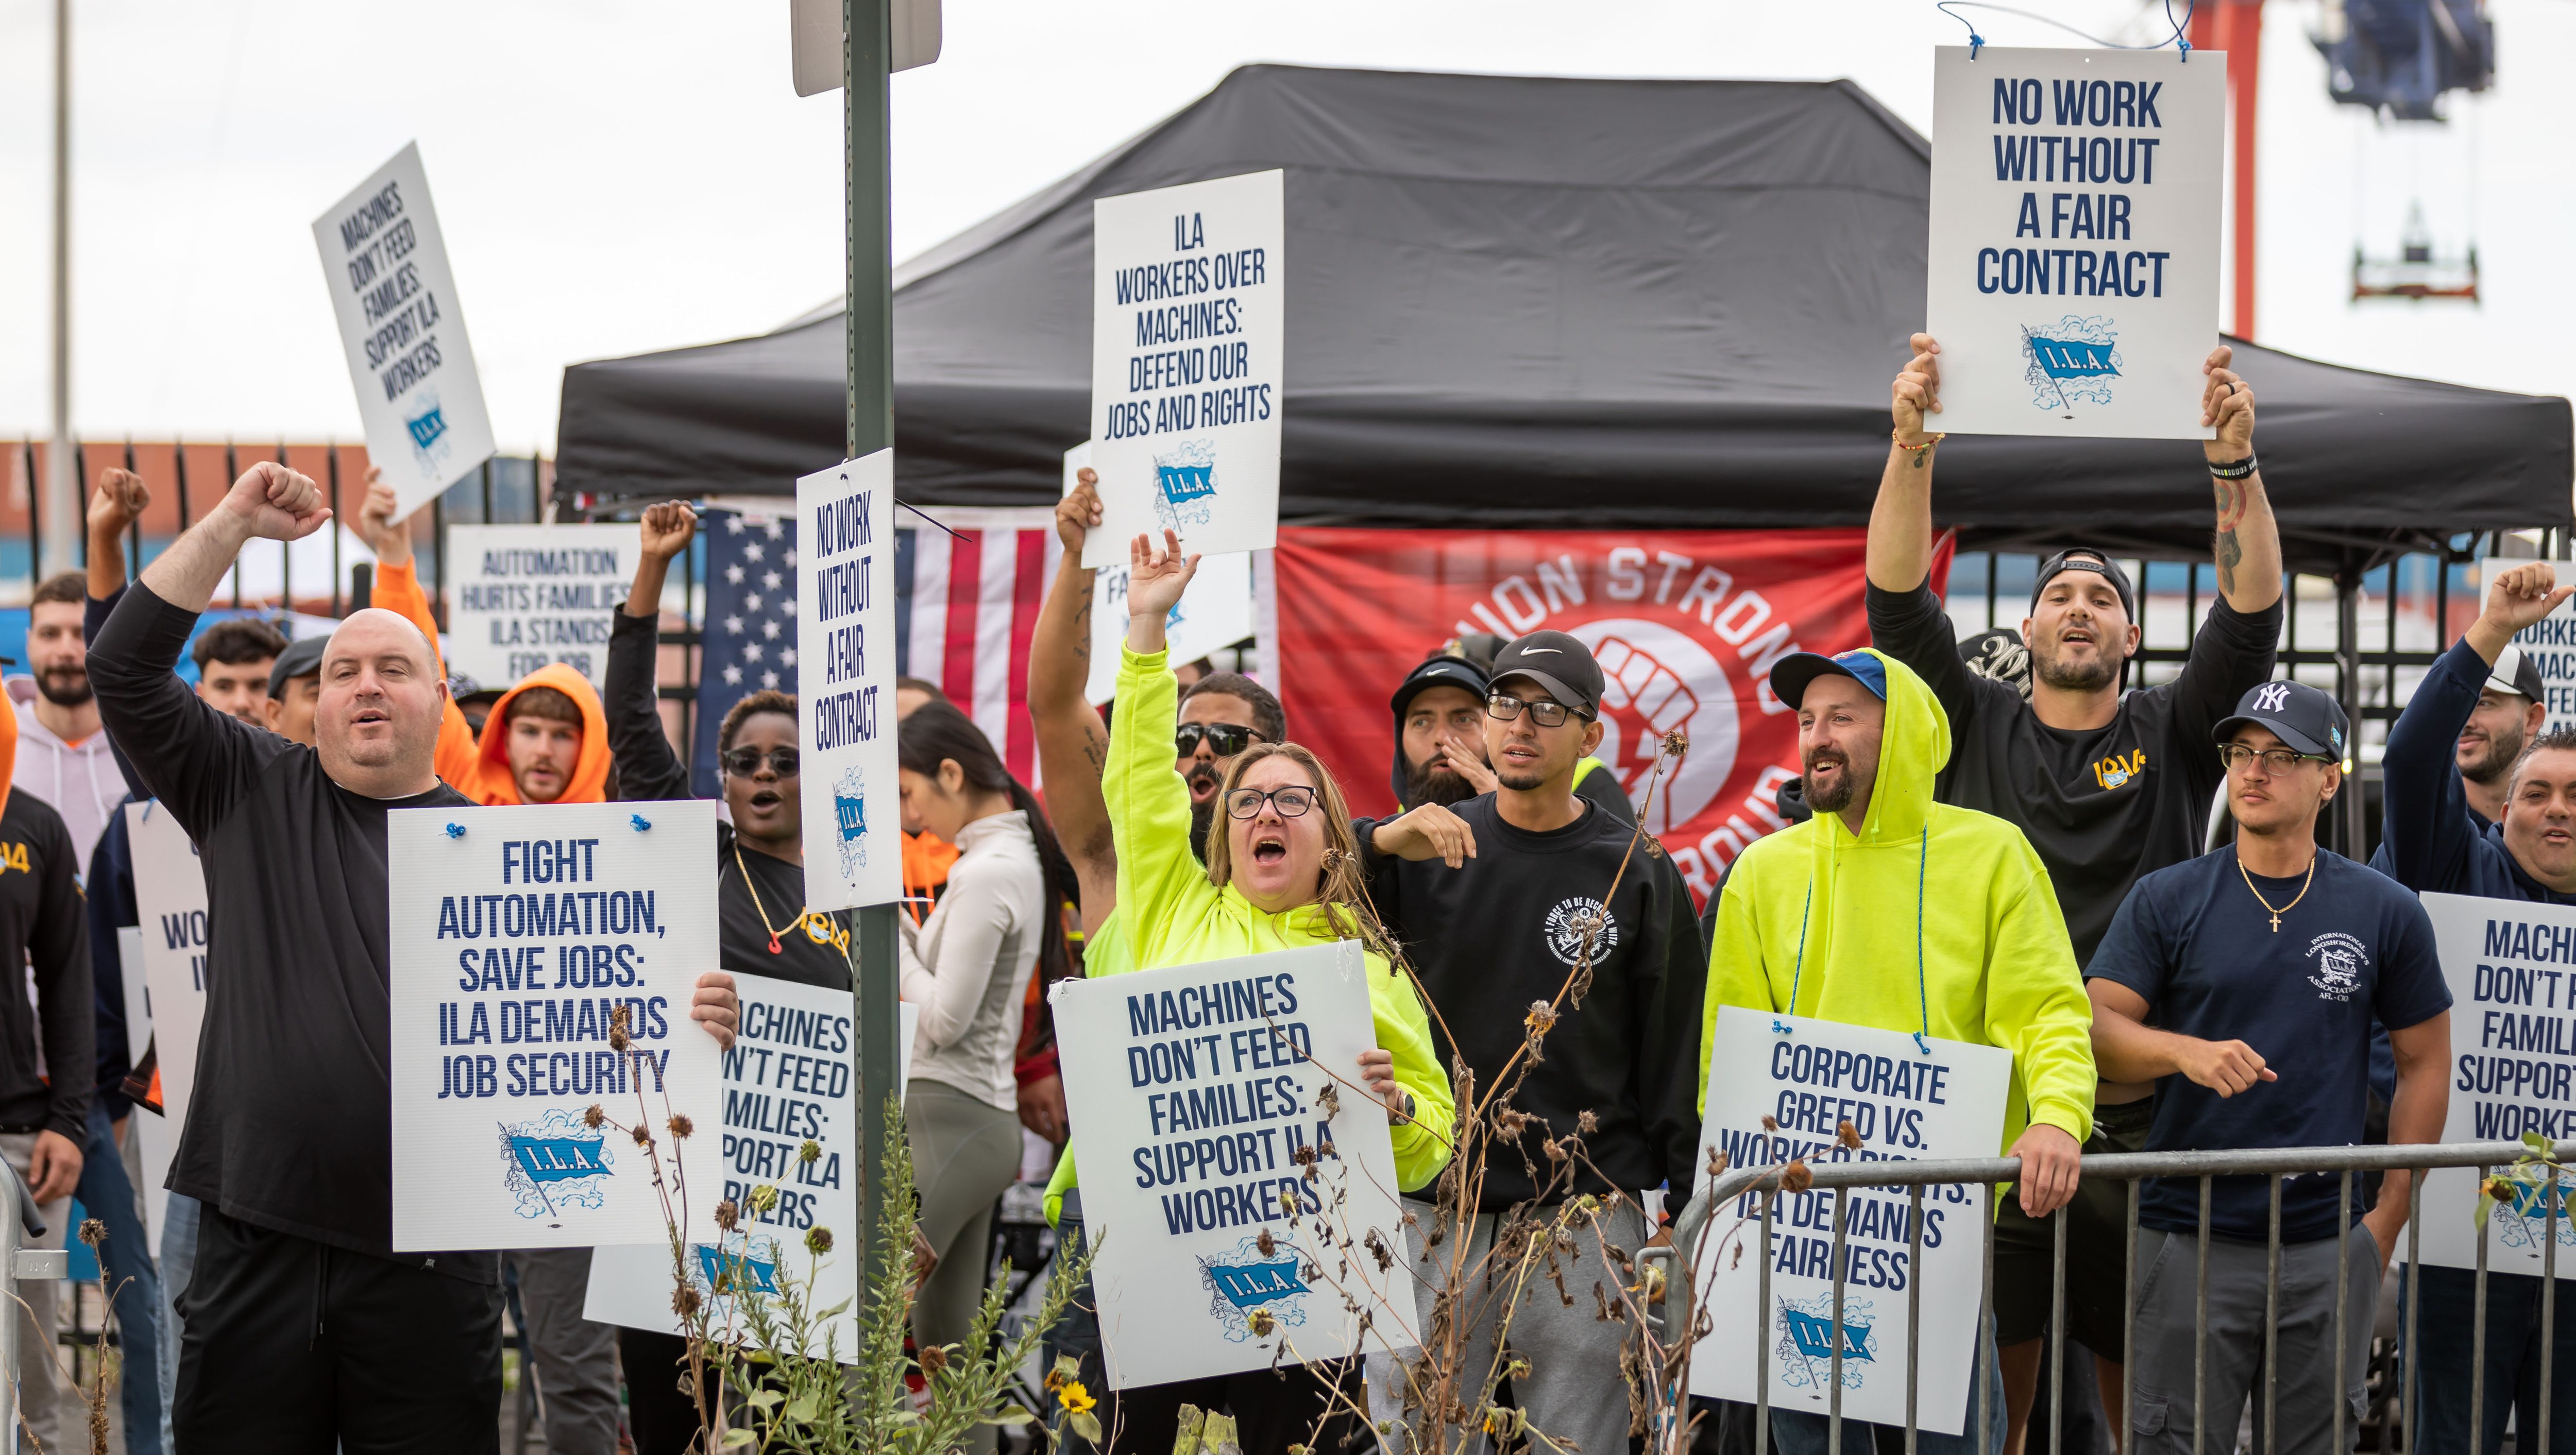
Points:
[2312,1374]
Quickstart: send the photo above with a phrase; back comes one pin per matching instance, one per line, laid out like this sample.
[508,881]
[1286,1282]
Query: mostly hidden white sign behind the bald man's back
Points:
[171,908]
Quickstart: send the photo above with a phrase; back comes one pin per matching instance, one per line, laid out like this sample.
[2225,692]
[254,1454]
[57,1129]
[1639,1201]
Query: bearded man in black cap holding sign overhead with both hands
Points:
[2106,787]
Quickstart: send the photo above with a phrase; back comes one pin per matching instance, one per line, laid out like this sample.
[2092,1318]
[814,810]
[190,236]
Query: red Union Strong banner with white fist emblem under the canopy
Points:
[1686,627]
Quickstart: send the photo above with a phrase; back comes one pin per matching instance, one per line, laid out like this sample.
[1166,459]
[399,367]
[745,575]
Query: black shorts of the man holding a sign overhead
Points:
[2096,1250]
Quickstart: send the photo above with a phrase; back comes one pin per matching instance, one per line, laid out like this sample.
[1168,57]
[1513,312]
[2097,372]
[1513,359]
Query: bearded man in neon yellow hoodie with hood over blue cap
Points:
[1828,921]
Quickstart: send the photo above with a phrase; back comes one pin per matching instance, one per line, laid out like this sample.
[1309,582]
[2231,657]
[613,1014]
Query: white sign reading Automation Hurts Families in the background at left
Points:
[532,596]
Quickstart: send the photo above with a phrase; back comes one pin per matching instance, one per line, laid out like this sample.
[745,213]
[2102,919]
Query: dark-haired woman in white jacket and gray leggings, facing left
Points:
[967,967]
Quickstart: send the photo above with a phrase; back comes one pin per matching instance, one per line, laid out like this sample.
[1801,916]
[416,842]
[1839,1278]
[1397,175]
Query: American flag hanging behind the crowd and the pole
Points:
[965,609]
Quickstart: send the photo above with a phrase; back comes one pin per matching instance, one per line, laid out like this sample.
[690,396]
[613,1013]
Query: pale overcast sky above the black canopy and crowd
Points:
[620,176]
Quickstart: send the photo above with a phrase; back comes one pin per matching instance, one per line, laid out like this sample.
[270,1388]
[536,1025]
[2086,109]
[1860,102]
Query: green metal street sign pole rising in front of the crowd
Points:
[872,426]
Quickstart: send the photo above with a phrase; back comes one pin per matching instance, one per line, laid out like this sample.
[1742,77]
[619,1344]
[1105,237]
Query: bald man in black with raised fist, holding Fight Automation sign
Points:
[305,1330]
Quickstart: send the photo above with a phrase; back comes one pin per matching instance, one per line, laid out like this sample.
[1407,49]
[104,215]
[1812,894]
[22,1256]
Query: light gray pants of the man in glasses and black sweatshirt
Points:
[1573,1392]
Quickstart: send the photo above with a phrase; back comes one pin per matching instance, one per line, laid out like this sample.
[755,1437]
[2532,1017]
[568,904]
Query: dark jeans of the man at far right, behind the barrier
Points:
[2515,1382]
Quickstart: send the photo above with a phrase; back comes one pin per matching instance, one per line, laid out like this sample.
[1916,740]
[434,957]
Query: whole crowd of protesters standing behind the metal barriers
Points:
[1956,869]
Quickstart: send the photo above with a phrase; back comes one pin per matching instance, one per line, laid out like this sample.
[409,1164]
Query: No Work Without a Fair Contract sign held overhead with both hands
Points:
[2075,241]
